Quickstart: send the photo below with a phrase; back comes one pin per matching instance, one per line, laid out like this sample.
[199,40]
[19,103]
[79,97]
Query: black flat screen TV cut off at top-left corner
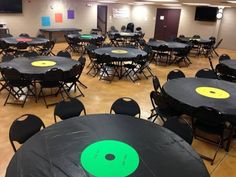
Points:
[10,6]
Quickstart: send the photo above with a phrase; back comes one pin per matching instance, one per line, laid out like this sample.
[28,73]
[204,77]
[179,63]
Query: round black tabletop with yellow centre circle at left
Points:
[36,67]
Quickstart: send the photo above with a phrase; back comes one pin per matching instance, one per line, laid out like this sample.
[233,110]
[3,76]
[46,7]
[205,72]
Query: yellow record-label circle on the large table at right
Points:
[212,92]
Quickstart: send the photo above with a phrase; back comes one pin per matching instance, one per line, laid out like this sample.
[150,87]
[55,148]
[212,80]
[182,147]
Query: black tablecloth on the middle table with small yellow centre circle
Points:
[130,55]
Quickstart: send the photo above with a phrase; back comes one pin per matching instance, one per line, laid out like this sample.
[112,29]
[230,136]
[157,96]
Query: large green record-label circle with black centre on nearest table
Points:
[109,158]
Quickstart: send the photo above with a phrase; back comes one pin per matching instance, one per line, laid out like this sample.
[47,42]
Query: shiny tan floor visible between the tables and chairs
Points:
[98,98]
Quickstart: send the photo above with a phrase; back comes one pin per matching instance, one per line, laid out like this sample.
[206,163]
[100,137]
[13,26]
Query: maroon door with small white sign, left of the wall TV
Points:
[167,24]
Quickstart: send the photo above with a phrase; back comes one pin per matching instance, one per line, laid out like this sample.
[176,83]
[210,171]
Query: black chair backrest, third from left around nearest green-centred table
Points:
[126,106]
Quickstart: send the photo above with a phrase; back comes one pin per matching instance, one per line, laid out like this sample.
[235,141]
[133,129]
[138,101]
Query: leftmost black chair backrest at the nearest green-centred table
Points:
[24,127]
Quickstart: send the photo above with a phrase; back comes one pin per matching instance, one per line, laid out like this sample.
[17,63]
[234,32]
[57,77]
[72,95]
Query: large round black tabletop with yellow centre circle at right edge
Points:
[187,94]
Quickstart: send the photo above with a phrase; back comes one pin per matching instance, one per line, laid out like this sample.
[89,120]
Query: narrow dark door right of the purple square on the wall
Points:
[102,18]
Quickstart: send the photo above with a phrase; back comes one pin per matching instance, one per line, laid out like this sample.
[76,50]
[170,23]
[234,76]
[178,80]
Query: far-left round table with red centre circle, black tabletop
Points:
[32,41]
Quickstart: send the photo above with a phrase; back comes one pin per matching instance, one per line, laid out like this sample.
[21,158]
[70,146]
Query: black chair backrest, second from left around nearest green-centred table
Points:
[68,109]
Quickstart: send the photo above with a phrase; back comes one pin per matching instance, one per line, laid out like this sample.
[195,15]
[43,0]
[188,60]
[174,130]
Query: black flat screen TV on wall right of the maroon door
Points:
[204,13]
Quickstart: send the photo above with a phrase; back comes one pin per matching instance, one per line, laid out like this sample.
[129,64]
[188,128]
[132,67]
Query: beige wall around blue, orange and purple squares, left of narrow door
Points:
[30,20]
